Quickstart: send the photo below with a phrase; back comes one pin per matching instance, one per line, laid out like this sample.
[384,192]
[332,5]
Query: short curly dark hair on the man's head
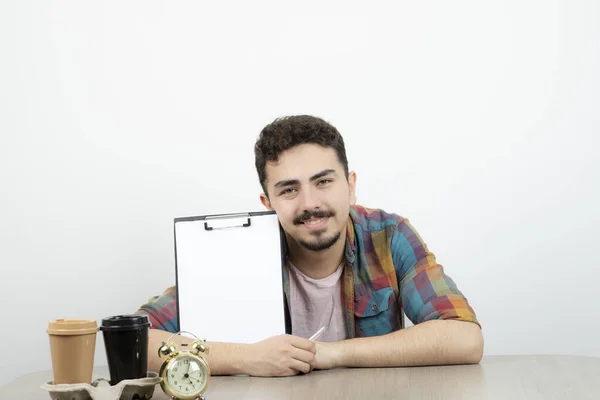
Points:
[286,132]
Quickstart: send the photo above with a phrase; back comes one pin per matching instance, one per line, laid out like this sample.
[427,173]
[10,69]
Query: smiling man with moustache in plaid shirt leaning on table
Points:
[352,269]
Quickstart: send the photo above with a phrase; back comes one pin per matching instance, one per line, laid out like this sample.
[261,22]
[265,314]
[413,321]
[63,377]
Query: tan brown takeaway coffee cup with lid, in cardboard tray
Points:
[72,348]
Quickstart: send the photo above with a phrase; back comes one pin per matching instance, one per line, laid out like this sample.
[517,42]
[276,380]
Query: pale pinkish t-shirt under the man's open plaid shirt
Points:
[315,303]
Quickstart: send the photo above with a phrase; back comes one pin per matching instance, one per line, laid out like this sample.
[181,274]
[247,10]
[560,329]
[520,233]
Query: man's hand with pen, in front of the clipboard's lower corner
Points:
[282,355]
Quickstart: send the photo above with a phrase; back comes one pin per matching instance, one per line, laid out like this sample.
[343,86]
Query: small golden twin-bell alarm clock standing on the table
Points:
[184,373]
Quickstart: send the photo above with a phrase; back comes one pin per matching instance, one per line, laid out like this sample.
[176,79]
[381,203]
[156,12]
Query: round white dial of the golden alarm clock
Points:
[187,375]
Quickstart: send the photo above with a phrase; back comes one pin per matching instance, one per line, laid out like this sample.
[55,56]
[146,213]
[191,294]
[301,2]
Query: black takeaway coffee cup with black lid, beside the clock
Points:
[126,344]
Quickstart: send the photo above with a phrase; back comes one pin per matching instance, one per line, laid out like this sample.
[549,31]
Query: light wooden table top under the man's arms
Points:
[496,377]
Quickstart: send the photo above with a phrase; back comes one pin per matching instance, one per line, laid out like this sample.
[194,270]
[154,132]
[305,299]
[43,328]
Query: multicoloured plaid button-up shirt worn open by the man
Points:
[388,272]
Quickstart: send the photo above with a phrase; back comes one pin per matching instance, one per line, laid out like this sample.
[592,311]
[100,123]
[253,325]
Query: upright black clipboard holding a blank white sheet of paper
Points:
[228,272]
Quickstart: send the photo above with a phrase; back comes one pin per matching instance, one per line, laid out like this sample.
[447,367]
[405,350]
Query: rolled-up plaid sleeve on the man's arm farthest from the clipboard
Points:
[427,293]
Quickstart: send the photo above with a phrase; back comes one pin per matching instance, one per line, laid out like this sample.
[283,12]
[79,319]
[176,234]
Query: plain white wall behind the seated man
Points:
[477,121]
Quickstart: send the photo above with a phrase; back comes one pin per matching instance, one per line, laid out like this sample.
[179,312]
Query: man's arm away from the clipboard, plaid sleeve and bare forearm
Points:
[446,330]
